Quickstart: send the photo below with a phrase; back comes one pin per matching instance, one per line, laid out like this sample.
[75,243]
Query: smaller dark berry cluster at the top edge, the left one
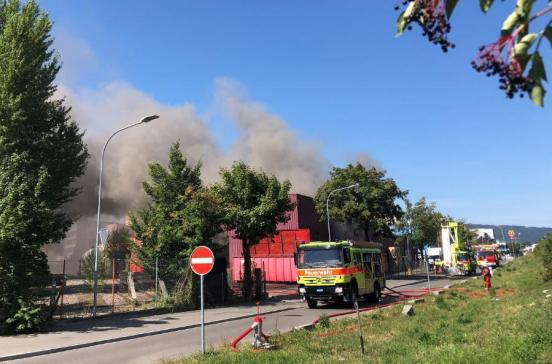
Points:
[431,16]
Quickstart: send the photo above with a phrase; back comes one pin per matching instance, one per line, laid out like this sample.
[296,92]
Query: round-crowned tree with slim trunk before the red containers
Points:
[253,203]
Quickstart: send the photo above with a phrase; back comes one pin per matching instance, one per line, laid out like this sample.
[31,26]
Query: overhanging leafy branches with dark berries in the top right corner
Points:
[508,57]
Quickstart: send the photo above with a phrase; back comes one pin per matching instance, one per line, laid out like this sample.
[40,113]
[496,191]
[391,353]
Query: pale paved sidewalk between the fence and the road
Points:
[83,333]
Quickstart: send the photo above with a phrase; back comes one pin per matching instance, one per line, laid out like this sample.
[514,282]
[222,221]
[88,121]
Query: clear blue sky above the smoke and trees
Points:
[337,75]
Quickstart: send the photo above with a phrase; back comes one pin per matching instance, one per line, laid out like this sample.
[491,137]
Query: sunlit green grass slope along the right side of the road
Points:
[512,324]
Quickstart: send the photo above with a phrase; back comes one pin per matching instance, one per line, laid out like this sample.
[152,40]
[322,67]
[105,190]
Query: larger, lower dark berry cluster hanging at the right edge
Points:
[491,62]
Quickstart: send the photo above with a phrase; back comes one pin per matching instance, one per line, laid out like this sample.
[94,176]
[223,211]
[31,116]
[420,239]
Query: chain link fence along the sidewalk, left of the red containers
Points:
[120,288]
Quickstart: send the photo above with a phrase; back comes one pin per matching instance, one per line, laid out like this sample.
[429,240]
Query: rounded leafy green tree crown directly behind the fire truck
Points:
[373,204]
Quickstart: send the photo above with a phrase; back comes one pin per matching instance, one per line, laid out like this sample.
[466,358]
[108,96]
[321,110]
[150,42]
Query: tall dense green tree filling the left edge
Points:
[41,154]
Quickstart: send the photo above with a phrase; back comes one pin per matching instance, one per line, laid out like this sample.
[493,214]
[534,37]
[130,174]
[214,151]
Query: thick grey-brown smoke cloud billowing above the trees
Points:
[264,141]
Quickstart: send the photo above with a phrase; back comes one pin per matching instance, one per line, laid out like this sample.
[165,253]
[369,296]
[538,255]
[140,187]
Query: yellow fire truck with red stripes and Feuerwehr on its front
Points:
[339,271]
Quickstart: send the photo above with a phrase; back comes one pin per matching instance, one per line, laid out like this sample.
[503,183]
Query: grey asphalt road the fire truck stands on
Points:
[152,349]
